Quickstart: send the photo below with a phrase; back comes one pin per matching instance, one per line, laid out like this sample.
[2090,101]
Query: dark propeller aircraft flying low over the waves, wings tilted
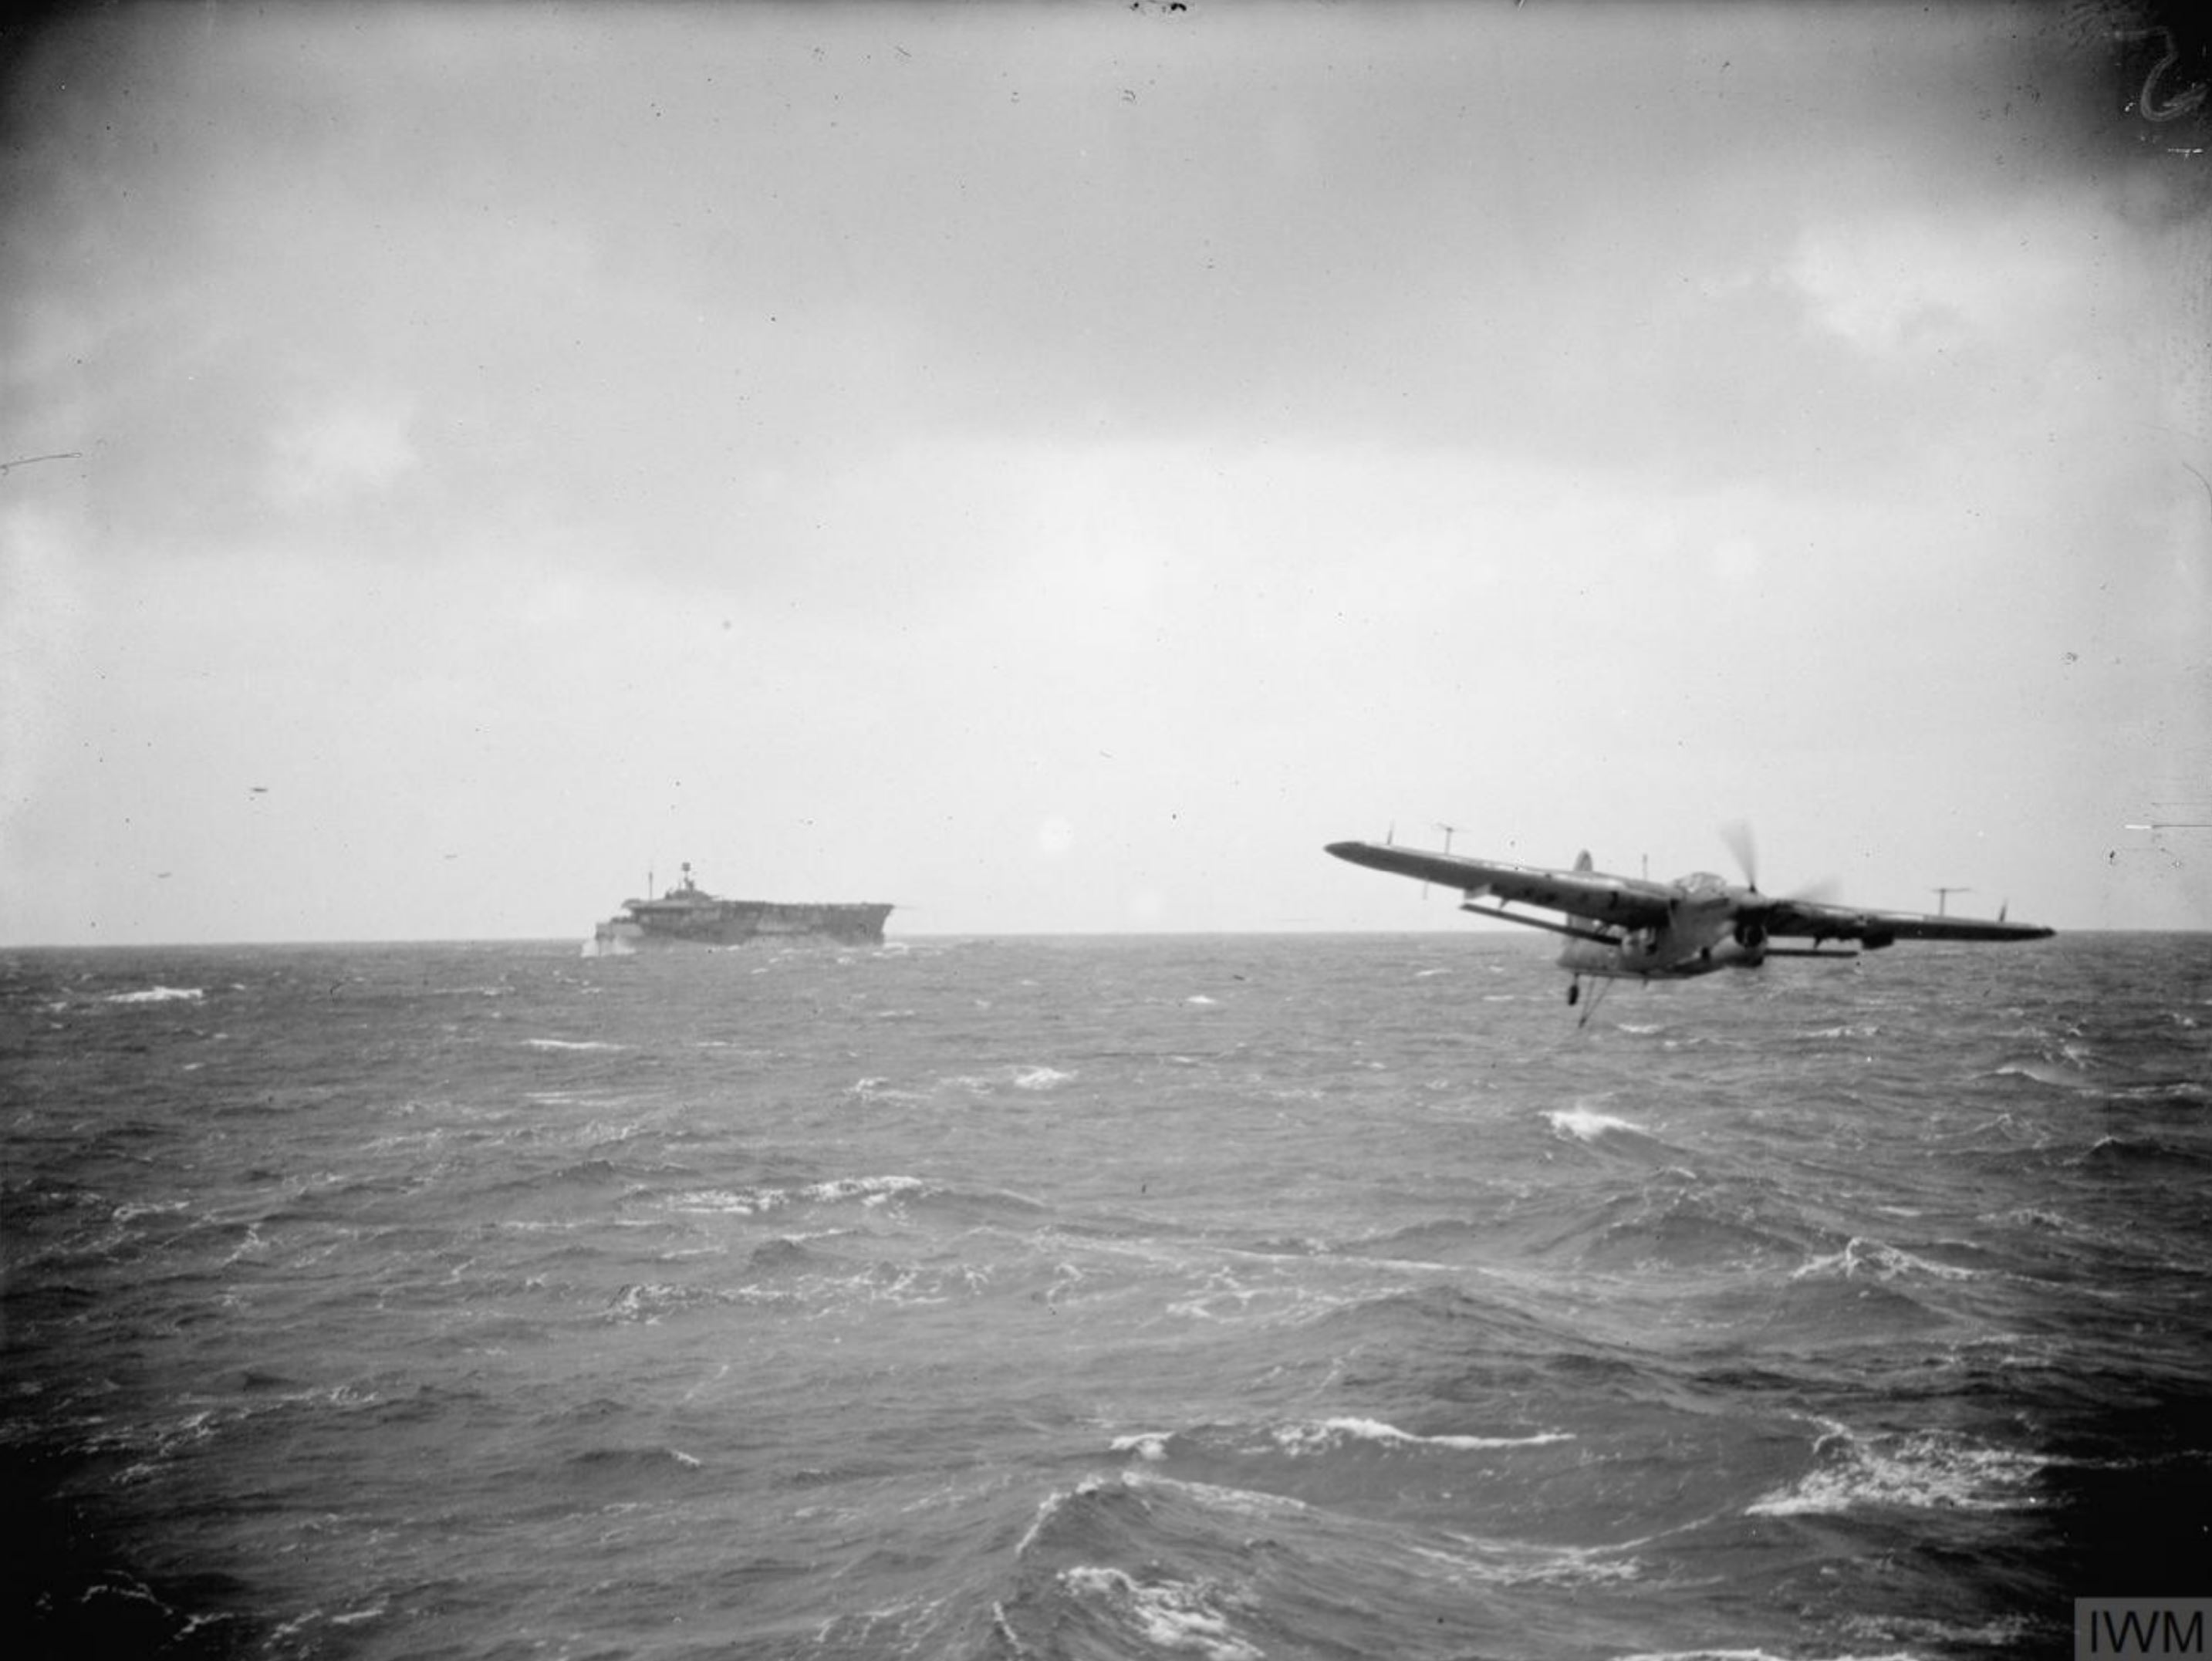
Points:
[1623,928]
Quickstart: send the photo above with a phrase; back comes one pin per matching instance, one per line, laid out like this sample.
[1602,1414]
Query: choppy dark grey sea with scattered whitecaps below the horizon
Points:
[1202,1297]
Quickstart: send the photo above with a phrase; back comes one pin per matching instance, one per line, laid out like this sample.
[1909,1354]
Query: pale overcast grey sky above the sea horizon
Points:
[1058,466]
